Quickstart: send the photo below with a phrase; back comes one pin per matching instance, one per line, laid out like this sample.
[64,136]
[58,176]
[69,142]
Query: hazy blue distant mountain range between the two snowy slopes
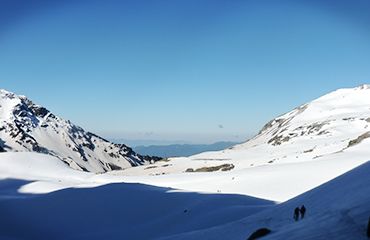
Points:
[181,150]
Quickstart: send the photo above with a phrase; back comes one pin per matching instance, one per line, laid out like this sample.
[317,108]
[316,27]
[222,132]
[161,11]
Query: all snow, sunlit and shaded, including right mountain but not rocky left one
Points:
[317,155]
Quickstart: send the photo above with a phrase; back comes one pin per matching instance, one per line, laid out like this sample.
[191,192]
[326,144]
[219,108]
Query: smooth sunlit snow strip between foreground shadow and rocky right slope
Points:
[274,182]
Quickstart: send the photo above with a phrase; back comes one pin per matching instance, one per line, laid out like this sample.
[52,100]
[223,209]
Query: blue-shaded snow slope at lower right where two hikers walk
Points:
[337,210]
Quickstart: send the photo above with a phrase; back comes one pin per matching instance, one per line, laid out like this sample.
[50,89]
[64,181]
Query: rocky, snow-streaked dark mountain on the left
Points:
[25,126]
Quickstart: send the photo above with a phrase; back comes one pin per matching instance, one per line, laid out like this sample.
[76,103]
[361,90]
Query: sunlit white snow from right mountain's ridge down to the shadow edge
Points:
[319,131]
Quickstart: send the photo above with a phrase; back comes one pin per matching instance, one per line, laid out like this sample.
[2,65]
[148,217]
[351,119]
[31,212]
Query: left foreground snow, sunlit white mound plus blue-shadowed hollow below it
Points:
[110,211]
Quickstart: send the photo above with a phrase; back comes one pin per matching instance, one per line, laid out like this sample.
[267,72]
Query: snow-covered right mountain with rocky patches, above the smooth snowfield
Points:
[335,124]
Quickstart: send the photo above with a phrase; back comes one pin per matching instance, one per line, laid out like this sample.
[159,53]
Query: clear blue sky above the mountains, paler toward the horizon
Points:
[192,70]
